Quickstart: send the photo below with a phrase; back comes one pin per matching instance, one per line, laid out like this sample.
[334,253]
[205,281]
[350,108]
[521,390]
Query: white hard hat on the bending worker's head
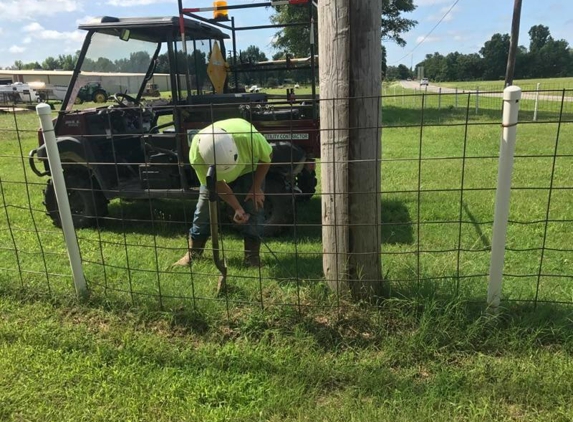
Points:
[218,148]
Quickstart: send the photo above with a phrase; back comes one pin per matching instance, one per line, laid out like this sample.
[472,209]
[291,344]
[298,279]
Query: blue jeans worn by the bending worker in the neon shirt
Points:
[253,229]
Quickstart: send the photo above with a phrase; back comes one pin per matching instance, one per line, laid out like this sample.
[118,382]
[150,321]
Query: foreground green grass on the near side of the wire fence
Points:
[64,362]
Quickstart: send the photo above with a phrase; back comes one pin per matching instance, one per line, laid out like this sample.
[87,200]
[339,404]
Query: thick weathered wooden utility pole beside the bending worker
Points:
[350,120]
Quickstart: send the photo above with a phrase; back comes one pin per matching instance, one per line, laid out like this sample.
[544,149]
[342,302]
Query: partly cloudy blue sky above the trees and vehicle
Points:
[31,30]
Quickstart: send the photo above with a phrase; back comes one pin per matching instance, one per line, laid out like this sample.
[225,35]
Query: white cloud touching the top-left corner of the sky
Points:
[18,10]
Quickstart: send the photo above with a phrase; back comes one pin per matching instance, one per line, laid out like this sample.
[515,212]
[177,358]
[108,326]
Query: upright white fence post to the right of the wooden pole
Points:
[511,97]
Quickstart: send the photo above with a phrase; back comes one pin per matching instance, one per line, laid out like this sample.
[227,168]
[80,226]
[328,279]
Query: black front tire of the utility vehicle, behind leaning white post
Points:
[87,202]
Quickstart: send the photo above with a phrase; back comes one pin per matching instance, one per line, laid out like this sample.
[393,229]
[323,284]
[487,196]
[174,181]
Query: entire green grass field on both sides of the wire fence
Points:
[154,344]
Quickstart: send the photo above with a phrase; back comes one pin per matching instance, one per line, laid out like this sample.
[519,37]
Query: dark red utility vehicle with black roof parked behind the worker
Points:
[137,149]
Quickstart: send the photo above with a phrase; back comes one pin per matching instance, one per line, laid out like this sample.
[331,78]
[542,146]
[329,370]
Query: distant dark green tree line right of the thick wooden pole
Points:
[546,57]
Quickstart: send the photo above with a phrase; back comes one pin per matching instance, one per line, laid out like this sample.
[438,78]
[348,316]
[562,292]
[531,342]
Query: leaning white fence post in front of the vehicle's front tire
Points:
[45,113]
